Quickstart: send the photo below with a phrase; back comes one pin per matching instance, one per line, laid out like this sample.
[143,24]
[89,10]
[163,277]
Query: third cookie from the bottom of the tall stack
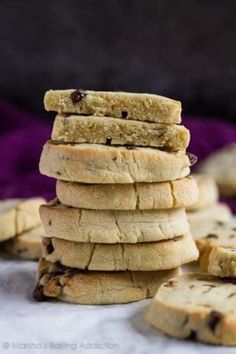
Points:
[112,226]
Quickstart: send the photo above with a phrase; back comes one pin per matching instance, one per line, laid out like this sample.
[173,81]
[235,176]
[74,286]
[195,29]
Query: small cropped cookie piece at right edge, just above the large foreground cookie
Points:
[222,261]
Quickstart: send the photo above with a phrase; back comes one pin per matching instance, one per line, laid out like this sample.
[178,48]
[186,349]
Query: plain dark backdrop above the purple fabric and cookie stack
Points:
[184,49]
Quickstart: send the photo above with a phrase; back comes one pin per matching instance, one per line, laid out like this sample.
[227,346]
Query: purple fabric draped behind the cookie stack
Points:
[23,136]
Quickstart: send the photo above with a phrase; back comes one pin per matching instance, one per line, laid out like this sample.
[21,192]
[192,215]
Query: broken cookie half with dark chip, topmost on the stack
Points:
[126,105]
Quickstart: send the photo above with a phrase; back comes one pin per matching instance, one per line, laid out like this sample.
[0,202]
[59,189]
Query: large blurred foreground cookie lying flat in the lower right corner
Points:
[196,306]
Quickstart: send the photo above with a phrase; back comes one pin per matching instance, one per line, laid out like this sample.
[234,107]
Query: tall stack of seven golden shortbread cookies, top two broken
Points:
[118,228]
